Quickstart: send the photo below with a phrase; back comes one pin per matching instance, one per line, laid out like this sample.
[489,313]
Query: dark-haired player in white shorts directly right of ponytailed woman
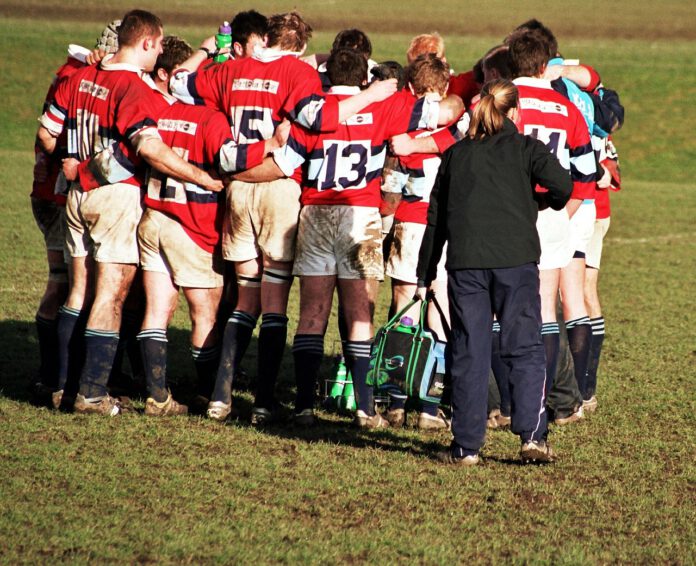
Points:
[548,116]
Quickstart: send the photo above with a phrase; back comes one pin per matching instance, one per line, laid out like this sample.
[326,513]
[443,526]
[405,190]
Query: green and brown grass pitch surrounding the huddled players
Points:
[75,489]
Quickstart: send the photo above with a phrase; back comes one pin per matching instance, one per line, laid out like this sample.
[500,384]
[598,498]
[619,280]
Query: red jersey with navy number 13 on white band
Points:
[345,167]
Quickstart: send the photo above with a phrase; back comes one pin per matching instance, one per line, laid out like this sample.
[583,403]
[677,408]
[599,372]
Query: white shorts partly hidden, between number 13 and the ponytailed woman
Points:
[403,255]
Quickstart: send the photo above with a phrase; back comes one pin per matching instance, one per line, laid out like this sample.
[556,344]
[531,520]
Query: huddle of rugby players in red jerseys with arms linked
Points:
[227,173]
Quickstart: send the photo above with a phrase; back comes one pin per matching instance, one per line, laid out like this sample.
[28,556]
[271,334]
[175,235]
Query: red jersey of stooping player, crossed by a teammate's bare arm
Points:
[196,134]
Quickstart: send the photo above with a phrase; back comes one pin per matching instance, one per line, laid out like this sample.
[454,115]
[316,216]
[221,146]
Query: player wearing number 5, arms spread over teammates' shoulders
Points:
[261,220]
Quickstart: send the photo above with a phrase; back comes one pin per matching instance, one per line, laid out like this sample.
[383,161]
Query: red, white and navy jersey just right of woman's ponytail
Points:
[553,119]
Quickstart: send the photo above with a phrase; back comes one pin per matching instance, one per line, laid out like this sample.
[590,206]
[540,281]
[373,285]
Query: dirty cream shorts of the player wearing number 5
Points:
[261,219]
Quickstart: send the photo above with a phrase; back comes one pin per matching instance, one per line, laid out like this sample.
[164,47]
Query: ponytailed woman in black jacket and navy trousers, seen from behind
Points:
[484,204]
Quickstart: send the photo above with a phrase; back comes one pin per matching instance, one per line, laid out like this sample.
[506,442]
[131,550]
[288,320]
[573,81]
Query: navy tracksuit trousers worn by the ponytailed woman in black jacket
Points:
[513,294]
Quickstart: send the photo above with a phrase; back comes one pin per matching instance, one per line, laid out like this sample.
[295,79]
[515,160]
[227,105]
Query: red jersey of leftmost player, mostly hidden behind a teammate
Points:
[47,167]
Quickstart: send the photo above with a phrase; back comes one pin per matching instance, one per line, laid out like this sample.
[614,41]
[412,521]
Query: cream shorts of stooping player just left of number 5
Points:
[165,247]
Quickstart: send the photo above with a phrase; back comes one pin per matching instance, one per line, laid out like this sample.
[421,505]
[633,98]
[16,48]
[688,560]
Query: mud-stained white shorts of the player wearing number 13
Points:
[340,240]
